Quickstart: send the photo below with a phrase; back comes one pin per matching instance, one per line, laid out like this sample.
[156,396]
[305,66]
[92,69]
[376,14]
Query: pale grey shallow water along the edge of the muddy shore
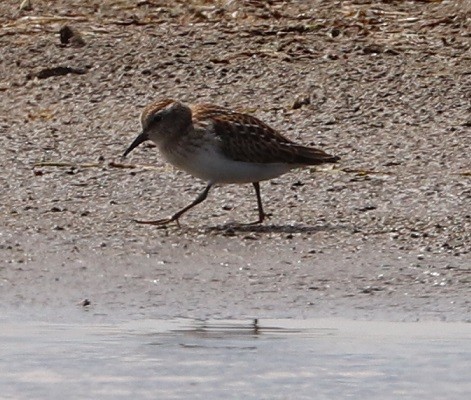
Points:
[268,359]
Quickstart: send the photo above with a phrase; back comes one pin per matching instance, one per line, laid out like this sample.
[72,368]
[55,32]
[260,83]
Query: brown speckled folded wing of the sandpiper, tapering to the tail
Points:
[246,138]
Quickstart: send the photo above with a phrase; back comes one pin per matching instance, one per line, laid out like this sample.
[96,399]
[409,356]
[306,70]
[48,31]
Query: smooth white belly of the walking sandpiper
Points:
[213,167]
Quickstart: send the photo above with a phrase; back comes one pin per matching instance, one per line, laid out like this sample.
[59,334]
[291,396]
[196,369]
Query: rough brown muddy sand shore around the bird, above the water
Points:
[386,234]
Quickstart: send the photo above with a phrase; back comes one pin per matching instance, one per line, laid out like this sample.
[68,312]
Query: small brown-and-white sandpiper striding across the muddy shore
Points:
[221,146]
